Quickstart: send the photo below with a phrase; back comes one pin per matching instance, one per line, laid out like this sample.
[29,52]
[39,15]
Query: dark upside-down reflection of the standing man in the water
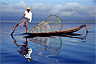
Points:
[25,51]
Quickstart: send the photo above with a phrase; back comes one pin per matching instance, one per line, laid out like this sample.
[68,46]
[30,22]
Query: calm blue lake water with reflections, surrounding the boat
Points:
[78,48]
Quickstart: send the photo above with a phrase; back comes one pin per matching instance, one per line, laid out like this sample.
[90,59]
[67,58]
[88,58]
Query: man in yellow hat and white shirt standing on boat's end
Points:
[24,20]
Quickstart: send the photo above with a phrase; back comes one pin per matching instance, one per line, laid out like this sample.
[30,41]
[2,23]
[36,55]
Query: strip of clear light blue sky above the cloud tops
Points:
[55,2]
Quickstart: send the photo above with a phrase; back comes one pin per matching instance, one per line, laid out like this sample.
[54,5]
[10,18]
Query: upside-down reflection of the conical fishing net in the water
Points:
[52,44]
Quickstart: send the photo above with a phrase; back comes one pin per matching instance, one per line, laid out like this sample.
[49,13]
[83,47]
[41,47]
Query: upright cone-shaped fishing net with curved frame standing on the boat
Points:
[52,23]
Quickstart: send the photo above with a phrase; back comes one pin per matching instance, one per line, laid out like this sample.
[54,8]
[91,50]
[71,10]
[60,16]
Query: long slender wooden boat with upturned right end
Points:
[54,33]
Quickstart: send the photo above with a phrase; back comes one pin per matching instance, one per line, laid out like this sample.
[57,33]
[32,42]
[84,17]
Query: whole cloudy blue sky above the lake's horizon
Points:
[67,10]
